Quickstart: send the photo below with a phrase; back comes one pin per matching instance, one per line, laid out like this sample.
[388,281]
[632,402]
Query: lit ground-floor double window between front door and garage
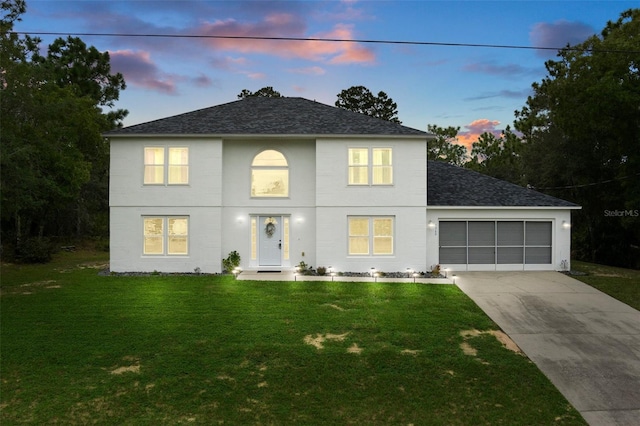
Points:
[371,235]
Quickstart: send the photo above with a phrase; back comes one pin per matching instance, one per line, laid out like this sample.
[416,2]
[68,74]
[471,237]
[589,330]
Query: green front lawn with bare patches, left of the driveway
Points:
[80,348]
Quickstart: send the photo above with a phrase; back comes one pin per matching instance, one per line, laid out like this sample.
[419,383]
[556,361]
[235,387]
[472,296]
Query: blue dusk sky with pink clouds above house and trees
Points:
[474,88]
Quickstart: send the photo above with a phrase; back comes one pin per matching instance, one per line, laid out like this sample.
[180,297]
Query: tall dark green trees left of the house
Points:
[54,163]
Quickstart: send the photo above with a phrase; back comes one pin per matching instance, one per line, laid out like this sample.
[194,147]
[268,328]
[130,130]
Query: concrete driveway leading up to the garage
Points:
[584,341]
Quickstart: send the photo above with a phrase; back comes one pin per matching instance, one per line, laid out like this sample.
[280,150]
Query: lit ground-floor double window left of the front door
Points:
[166,235]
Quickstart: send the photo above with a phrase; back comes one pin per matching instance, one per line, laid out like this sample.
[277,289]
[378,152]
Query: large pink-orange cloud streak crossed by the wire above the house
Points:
[281,24]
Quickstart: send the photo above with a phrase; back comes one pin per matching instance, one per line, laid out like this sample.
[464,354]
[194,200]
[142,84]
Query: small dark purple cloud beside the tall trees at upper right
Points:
[558,34]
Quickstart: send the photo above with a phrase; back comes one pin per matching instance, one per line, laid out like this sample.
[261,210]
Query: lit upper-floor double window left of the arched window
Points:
[166,166]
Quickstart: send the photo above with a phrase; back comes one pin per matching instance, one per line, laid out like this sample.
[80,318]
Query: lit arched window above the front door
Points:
[269,175]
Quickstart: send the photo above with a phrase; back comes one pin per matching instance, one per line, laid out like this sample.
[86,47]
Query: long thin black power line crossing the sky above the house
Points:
[316,39]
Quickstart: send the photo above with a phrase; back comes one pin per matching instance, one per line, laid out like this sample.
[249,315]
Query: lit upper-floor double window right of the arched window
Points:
[370,166]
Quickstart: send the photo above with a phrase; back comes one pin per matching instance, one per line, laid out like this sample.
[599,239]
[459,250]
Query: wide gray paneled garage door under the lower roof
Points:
[495,242]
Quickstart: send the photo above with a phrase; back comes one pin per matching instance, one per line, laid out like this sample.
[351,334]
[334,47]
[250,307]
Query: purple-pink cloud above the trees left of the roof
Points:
[140,71]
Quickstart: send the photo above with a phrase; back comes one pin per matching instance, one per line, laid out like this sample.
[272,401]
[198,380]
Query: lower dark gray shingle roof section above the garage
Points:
[449,185]
